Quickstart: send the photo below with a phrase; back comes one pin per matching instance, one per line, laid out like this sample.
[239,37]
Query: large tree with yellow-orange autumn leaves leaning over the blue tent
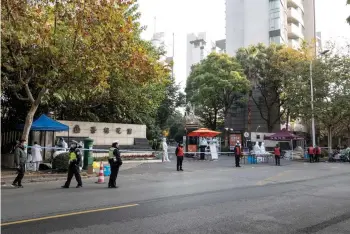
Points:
[63,49]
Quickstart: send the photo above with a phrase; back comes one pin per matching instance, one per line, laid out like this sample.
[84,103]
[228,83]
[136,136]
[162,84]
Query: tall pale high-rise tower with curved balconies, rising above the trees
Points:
[249,22]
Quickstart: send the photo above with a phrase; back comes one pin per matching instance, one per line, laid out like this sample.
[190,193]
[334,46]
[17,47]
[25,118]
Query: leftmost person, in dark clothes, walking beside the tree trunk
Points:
[20,162]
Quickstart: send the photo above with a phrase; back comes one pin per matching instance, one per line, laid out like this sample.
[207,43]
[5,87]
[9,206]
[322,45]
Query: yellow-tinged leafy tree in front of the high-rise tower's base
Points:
[275,74]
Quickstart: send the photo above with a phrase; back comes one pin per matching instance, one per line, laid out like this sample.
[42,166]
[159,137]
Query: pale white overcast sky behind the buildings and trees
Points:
[181,17]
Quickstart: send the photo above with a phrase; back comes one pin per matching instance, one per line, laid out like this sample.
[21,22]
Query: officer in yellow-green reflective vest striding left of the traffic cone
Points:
[73,168]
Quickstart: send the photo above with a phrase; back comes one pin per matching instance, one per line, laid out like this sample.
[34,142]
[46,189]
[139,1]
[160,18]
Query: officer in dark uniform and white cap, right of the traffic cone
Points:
[115,162]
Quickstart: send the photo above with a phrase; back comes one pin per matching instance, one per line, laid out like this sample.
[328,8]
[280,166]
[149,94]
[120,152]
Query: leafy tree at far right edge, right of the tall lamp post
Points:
[331,105]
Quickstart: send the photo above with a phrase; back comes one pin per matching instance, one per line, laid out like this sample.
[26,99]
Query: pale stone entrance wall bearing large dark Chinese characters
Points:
[101,138]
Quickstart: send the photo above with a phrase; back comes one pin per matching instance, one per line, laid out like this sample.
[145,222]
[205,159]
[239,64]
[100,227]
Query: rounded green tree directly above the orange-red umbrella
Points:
[214,86]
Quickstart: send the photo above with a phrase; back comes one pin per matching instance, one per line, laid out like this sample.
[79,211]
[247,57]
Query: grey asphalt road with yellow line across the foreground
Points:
[209,197]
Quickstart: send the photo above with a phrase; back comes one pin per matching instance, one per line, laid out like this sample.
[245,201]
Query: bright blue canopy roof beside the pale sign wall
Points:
[44,123]
